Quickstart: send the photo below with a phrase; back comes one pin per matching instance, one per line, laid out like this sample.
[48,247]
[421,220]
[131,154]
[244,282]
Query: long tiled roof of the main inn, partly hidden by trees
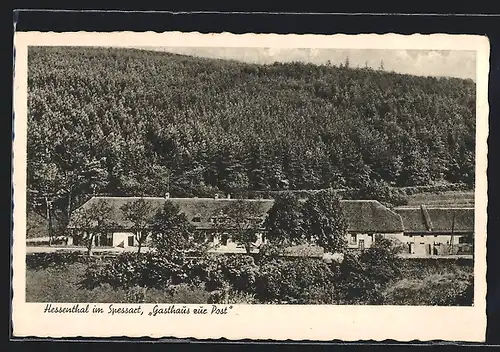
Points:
[363,216]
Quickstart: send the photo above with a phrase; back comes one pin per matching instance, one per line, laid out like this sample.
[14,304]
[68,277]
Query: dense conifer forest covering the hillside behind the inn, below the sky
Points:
[134,122]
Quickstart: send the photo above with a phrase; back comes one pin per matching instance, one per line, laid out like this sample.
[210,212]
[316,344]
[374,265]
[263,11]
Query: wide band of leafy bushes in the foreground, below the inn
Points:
[373,276]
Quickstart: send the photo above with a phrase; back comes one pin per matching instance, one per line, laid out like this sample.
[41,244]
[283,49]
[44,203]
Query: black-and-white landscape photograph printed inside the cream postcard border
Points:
[173,175]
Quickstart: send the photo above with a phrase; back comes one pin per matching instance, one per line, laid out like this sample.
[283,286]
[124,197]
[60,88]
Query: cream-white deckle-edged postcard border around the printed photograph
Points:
[348,323]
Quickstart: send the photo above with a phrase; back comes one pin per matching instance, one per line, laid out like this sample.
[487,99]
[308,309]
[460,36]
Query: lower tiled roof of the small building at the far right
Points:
[440,220]
